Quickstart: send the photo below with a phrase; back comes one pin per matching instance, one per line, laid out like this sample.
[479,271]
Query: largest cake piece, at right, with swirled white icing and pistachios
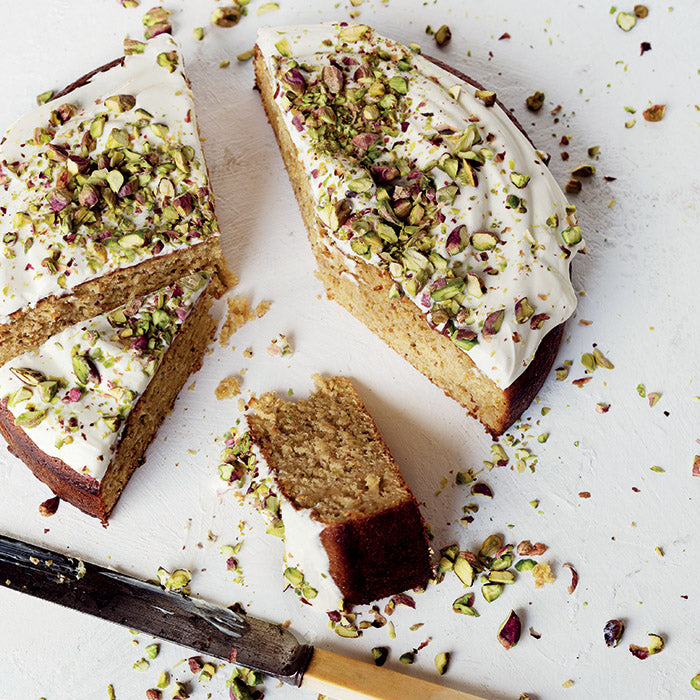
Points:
[432,217]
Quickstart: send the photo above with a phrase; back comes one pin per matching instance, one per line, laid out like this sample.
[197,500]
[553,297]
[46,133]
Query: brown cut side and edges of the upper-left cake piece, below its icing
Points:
[51,314]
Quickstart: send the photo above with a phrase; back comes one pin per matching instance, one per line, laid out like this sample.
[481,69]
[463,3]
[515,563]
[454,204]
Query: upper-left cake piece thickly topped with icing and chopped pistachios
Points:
[104,193]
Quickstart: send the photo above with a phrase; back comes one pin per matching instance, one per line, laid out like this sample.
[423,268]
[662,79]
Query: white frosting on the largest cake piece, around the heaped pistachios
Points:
[527,262]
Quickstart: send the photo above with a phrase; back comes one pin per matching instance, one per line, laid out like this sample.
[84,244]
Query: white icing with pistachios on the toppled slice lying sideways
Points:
[306,560]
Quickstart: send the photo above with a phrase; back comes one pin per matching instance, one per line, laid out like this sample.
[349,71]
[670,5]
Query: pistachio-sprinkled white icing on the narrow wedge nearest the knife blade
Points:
[73,394]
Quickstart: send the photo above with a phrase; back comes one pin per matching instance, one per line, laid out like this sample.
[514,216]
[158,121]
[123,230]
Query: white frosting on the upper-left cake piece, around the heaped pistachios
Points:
[24,280]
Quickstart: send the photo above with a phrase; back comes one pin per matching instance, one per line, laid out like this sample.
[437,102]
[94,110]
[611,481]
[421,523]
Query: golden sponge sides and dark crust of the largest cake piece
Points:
[363,290]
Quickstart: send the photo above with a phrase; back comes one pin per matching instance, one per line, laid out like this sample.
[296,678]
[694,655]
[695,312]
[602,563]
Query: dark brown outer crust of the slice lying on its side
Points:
[372,556]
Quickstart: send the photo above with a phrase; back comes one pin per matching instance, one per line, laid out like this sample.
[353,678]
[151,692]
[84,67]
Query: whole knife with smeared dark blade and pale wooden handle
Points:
[209,629]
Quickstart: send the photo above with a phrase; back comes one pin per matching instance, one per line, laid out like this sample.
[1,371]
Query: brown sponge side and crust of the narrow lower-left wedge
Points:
[182,358]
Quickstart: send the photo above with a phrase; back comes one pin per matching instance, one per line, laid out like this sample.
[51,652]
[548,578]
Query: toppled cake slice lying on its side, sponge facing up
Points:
[328,484]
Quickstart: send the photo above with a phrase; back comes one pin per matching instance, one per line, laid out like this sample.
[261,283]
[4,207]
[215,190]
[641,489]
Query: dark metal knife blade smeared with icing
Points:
[145,606]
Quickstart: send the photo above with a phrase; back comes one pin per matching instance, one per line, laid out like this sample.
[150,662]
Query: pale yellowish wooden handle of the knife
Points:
[342,678]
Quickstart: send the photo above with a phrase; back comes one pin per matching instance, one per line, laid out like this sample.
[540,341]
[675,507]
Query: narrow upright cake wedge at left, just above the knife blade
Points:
[81,409]
